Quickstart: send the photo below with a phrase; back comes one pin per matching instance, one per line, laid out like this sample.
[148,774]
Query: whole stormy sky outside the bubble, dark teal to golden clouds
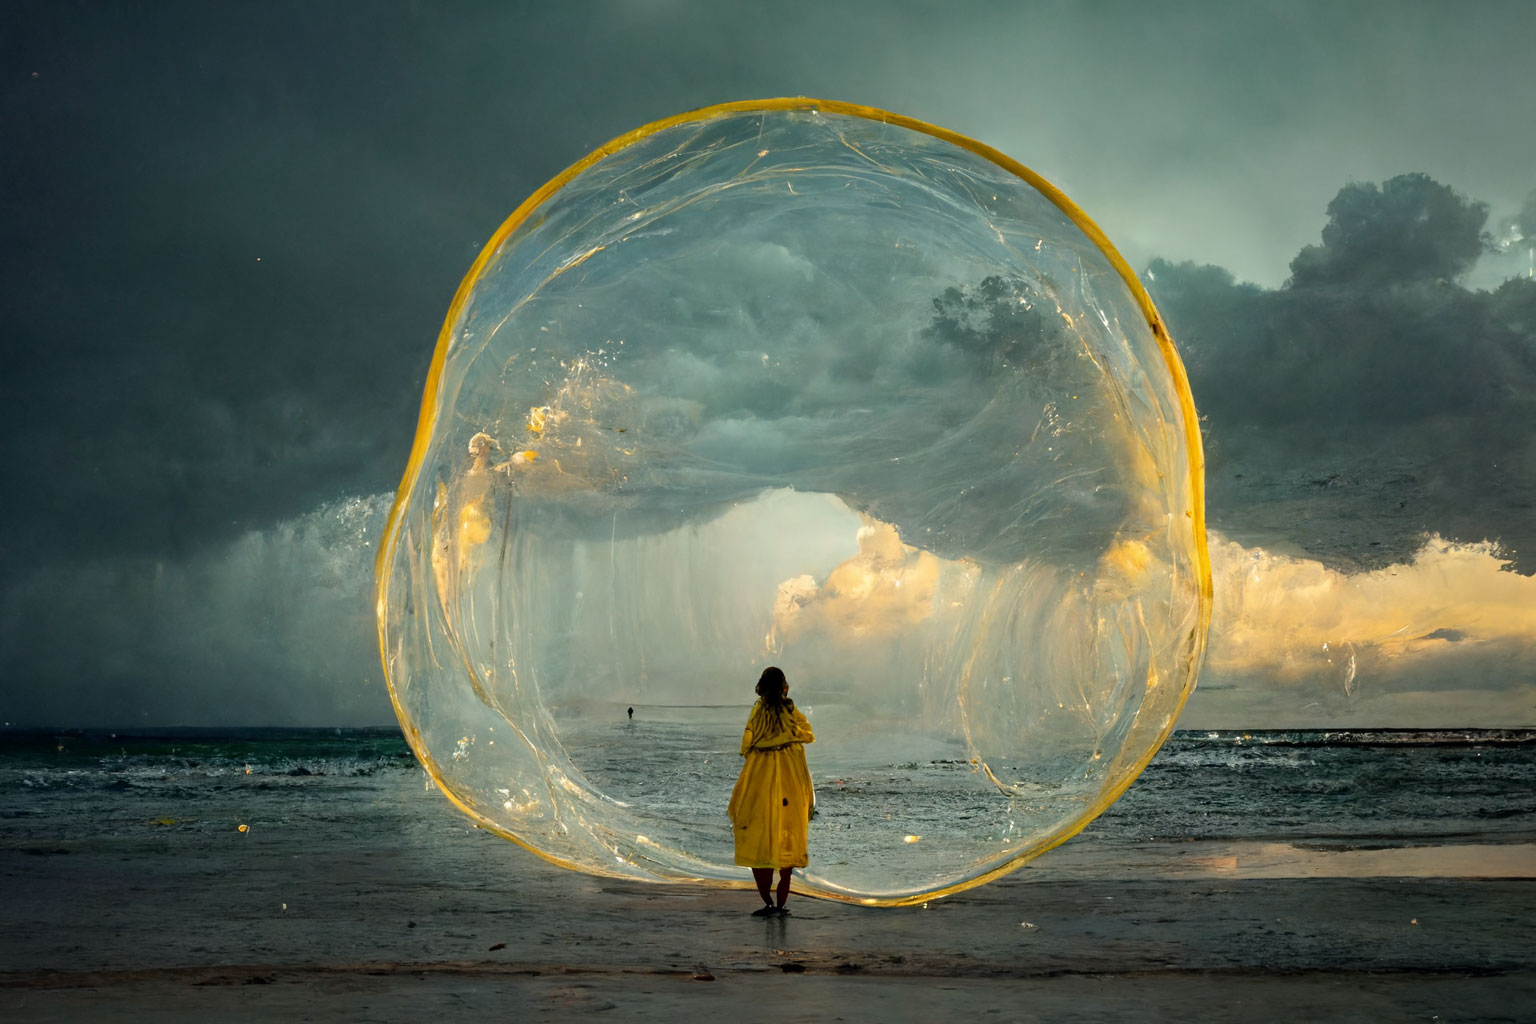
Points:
[231,233]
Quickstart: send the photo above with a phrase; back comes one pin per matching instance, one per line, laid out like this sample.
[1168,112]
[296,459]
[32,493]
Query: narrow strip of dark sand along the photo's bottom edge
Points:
[764,997]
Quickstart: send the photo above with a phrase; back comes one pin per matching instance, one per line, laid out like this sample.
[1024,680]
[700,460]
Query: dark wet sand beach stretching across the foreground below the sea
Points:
[388,907]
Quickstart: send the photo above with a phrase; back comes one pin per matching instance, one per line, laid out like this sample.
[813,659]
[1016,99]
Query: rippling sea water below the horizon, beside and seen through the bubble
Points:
[1345,790]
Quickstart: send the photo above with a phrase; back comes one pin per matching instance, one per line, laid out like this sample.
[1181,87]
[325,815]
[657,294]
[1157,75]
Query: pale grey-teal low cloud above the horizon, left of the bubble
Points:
[273,627]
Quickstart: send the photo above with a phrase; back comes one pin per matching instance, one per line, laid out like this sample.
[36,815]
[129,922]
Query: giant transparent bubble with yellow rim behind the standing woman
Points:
[806,385]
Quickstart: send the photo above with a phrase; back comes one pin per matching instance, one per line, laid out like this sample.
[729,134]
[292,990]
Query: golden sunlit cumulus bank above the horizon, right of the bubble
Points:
[1445,639]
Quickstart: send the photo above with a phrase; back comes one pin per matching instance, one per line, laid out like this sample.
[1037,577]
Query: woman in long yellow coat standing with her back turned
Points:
[773,801]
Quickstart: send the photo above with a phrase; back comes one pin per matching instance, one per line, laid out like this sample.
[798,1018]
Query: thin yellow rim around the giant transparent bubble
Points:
[1176,368]
